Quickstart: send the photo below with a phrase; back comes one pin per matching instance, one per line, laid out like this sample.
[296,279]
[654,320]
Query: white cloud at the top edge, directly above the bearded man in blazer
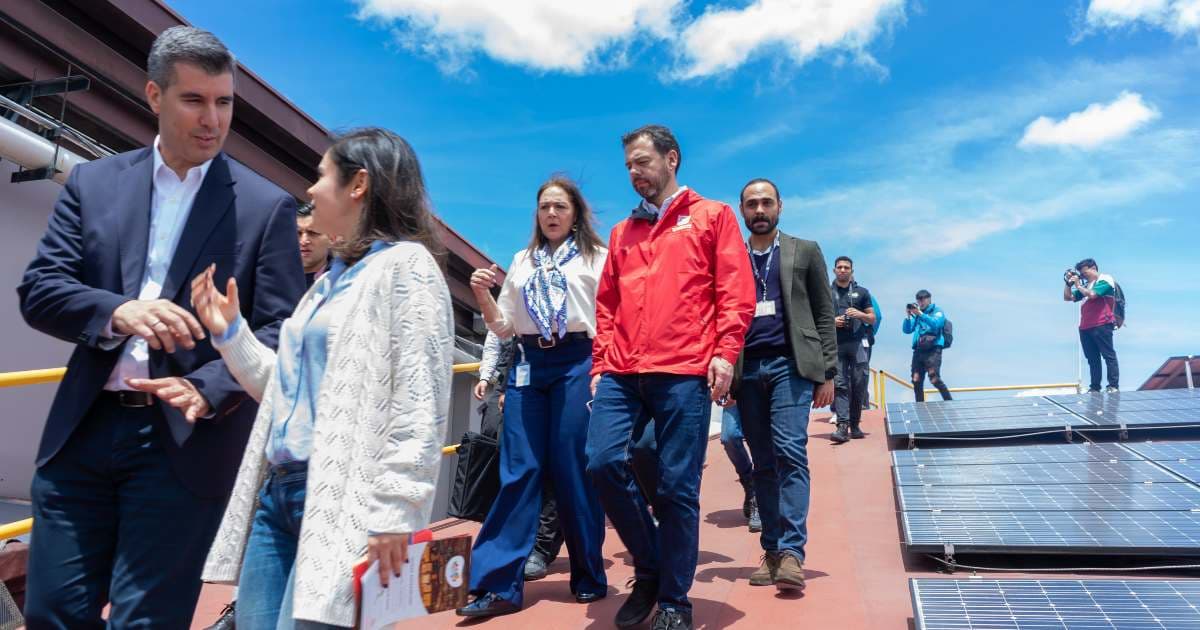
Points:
[724,39]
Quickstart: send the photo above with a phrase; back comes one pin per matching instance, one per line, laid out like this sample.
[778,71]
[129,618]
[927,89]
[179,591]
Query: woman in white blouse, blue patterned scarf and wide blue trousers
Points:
[548,302]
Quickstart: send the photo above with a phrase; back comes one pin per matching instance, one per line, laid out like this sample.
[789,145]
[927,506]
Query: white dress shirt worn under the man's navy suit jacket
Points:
[171,202]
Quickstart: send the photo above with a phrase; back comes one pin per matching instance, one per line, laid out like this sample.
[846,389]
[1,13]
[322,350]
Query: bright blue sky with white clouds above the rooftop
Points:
[975,149]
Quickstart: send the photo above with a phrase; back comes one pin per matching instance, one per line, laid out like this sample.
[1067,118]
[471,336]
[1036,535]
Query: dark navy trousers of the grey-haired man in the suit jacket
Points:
[112,524]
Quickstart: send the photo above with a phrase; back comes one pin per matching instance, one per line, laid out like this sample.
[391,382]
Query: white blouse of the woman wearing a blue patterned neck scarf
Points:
[583,283]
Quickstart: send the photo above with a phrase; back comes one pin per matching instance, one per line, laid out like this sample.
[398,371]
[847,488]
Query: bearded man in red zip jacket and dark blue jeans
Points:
[673,310]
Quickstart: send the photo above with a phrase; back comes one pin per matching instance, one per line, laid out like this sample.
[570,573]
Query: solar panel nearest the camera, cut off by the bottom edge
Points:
[943,604]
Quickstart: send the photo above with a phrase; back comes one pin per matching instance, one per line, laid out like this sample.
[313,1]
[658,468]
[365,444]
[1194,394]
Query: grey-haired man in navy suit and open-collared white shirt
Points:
[148,428]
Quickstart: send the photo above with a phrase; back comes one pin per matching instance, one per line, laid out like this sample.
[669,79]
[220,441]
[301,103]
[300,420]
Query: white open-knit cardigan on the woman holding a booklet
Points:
[377,442]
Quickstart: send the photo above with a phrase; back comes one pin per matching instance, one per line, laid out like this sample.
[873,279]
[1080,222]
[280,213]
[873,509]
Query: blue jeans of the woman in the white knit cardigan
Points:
[265,589]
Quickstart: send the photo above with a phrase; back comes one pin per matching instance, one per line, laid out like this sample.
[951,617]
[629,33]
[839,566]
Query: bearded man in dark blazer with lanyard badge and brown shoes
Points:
[787,368]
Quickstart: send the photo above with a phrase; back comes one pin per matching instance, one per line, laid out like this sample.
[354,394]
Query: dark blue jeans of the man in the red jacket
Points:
[681,409]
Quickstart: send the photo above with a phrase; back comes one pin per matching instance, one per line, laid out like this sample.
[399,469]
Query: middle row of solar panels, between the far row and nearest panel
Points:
[1137,499]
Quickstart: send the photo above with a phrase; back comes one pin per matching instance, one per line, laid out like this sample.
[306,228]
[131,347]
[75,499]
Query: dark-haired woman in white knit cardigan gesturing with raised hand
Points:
[345,454]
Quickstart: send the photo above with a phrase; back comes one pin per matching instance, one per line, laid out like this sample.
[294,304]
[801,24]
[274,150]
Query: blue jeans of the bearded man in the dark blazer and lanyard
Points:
[776,403]
